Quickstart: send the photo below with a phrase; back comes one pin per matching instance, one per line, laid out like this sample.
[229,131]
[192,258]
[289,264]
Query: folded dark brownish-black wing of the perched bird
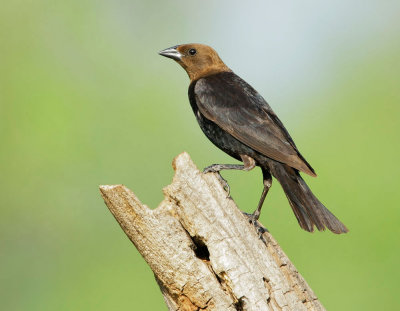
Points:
[237,108]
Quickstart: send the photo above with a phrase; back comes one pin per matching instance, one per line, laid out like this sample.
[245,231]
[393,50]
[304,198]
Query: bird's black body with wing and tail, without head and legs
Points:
[237,103]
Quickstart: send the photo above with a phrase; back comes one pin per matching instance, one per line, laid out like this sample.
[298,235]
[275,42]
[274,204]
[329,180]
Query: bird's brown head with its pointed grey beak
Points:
[198,60]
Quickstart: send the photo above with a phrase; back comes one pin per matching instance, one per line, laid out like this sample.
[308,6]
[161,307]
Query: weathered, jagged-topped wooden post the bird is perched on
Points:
[204,253]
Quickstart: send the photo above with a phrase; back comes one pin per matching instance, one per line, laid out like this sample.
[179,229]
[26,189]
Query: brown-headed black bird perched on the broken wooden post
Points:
[238,120]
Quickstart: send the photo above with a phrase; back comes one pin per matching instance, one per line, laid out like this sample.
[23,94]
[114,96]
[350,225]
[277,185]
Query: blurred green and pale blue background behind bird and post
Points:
[85,100]
